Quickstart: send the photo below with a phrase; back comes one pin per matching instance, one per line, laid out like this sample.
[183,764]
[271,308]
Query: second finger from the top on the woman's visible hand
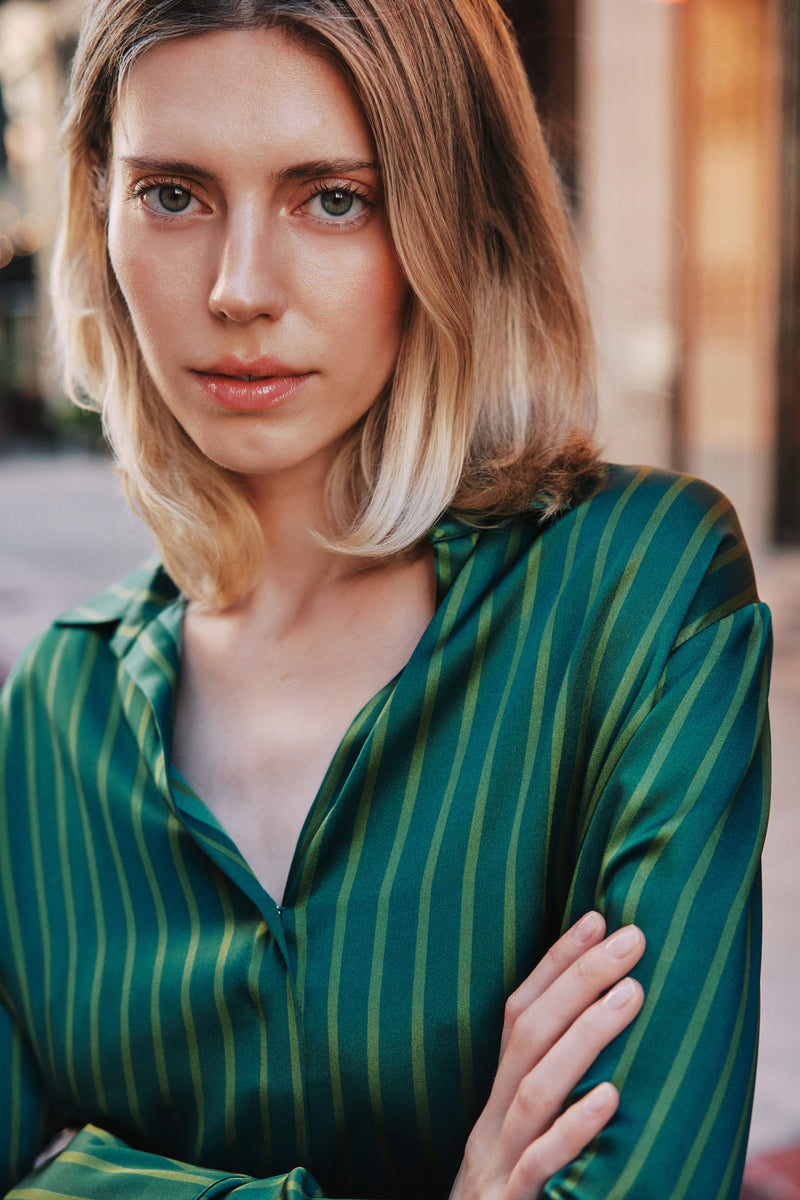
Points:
[555,1012]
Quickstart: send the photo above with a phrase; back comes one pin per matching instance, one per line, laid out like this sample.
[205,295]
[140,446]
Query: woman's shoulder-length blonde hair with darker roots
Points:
[494,389]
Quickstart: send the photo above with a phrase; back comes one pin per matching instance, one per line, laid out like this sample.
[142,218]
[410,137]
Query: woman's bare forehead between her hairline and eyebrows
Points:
[244,91]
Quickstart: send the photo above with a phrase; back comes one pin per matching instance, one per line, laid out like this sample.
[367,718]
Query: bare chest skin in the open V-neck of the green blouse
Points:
[262,712]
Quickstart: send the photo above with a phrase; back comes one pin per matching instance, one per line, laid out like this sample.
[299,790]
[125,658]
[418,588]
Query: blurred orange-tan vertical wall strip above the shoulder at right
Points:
[729,209]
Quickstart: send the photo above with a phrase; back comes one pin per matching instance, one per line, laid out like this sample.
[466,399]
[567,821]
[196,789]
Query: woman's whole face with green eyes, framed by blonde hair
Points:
[249,238]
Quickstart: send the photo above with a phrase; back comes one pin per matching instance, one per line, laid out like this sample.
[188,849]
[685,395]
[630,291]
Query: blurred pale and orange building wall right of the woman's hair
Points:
[679,119]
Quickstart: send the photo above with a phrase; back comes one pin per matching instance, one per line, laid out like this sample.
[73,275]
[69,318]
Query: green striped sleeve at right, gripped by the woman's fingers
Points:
[672,832]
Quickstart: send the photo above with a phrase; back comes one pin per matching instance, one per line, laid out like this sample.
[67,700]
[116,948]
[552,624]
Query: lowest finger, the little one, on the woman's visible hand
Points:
[562,1143]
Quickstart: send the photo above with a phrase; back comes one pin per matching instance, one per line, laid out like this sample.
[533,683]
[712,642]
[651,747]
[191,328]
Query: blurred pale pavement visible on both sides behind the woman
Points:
[65,533]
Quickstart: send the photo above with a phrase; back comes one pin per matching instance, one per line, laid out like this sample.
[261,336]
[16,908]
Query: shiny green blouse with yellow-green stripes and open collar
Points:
[582,724]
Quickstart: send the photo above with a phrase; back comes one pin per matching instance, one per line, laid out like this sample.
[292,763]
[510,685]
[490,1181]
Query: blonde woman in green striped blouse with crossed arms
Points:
[291,823]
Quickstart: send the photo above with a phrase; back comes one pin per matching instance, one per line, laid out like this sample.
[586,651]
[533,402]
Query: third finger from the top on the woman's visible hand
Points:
[544,1091]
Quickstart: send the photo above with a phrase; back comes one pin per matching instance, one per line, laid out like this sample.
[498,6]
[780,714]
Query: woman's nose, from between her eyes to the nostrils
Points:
[250,278]
